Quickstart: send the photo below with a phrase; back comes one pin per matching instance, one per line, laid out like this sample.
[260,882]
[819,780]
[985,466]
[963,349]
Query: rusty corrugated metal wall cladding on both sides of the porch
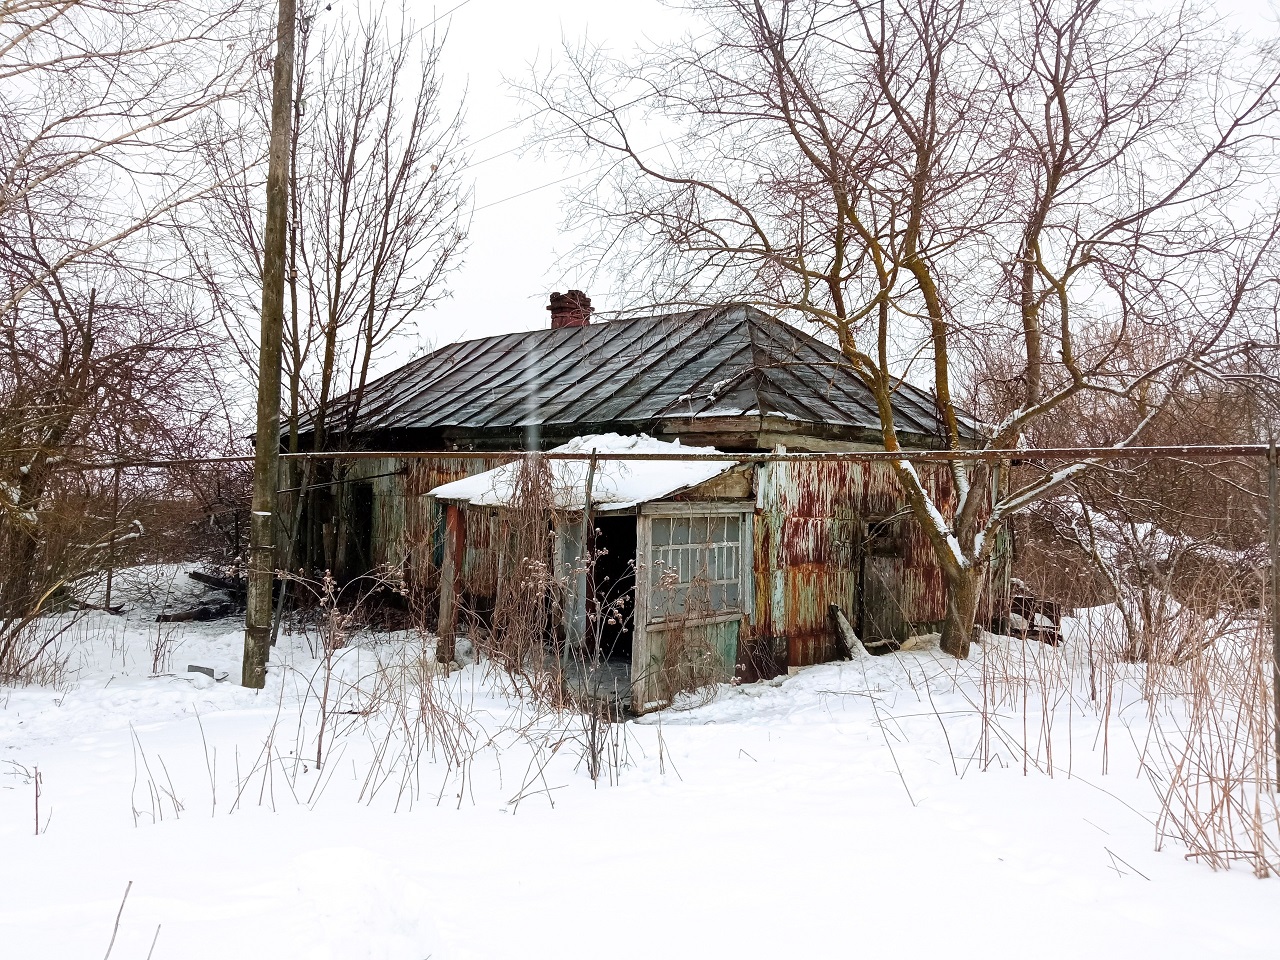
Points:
[810,546]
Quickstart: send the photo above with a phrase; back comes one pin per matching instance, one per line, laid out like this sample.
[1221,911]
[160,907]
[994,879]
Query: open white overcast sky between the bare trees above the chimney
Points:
[518,252]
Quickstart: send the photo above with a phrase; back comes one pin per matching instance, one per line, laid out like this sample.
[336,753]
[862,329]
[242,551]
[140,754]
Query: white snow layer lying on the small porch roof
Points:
[616,486]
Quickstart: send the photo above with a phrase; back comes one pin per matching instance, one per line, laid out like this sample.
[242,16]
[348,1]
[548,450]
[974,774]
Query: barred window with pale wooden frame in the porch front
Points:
[696,565]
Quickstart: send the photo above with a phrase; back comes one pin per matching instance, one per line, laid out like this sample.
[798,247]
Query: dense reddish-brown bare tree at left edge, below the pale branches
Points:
[94,367]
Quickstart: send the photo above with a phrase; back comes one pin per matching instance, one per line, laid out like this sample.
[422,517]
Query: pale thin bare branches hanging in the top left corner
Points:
[99,118]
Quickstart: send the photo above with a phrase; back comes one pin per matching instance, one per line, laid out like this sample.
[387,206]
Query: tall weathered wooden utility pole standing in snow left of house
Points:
[267,460]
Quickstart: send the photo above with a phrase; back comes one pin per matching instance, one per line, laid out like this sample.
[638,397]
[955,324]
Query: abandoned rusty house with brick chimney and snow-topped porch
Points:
[740,560]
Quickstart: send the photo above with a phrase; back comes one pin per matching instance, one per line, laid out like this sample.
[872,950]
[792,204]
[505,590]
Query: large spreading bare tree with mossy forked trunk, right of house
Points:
[1063,195]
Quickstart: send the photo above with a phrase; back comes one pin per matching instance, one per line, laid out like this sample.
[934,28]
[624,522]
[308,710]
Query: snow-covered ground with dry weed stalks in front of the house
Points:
[849,810]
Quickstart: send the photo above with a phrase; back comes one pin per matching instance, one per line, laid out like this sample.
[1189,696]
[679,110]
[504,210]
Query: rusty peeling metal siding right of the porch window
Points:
[811,533]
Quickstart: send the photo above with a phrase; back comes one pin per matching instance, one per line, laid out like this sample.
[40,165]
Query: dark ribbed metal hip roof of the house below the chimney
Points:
[730,362]
